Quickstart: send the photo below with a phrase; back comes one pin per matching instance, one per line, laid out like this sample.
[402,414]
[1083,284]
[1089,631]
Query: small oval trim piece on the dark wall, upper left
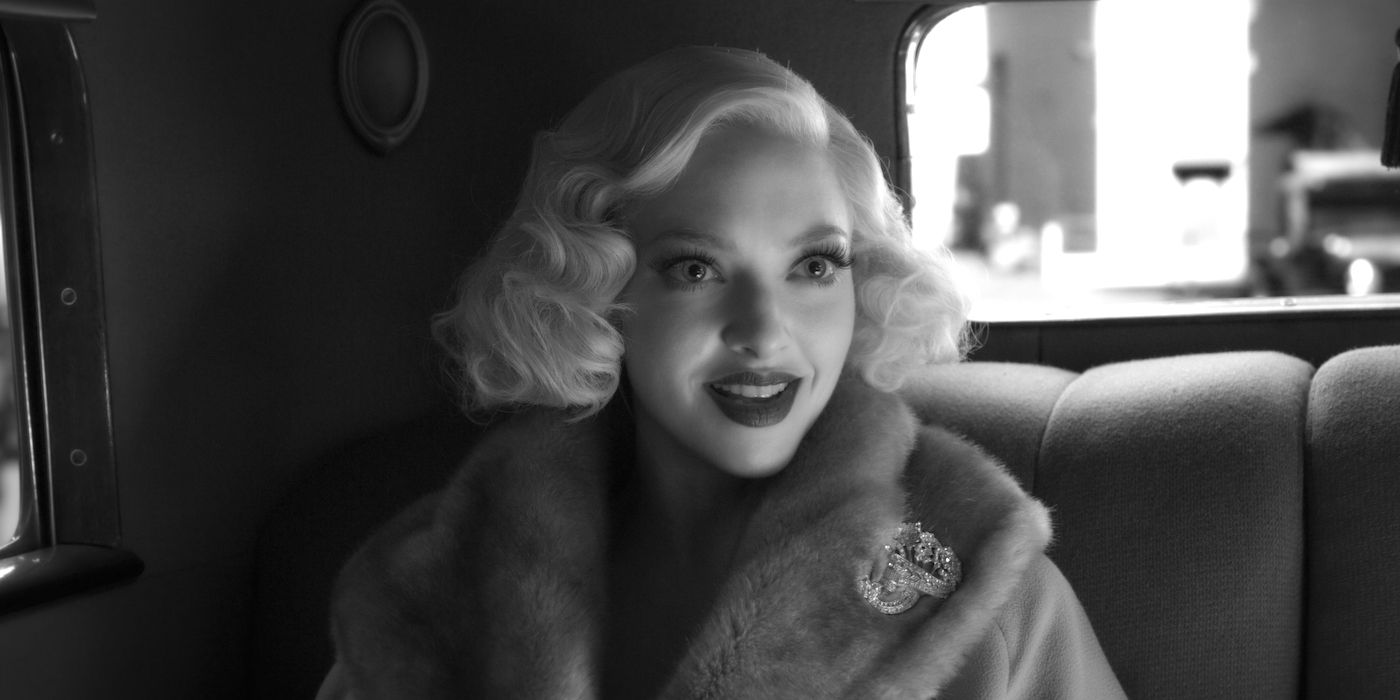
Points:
[359,92]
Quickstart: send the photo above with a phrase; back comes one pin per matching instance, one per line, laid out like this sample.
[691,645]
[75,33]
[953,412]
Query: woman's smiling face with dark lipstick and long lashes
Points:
[744,303]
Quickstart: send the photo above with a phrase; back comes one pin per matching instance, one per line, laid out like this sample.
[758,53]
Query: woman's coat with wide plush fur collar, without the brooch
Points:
[496,586]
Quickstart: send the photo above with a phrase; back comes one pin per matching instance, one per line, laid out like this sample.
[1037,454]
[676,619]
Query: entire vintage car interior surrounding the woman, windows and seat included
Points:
[227,226]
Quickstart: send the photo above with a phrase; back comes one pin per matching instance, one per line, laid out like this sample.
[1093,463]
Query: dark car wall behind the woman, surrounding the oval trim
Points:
[269,278]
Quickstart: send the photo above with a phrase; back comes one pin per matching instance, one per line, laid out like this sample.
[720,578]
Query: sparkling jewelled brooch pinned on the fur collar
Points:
[919,565]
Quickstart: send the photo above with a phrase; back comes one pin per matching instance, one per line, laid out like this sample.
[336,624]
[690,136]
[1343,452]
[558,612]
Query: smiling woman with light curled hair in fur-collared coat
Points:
[708,324]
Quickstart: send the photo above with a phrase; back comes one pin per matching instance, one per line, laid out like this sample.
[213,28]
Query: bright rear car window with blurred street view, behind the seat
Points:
[1104,152]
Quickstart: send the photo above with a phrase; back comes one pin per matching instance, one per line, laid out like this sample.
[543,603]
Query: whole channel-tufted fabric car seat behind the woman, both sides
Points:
[1230,521]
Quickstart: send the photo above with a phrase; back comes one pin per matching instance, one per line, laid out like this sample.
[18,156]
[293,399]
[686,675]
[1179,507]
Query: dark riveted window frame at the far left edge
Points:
[71,528]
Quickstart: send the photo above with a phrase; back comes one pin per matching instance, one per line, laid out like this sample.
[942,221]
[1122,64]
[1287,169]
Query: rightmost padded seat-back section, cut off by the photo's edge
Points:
[1354,527]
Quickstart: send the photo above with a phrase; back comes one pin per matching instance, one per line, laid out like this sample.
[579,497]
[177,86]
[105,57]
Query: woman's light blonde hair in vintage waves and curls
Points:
[534,321]
